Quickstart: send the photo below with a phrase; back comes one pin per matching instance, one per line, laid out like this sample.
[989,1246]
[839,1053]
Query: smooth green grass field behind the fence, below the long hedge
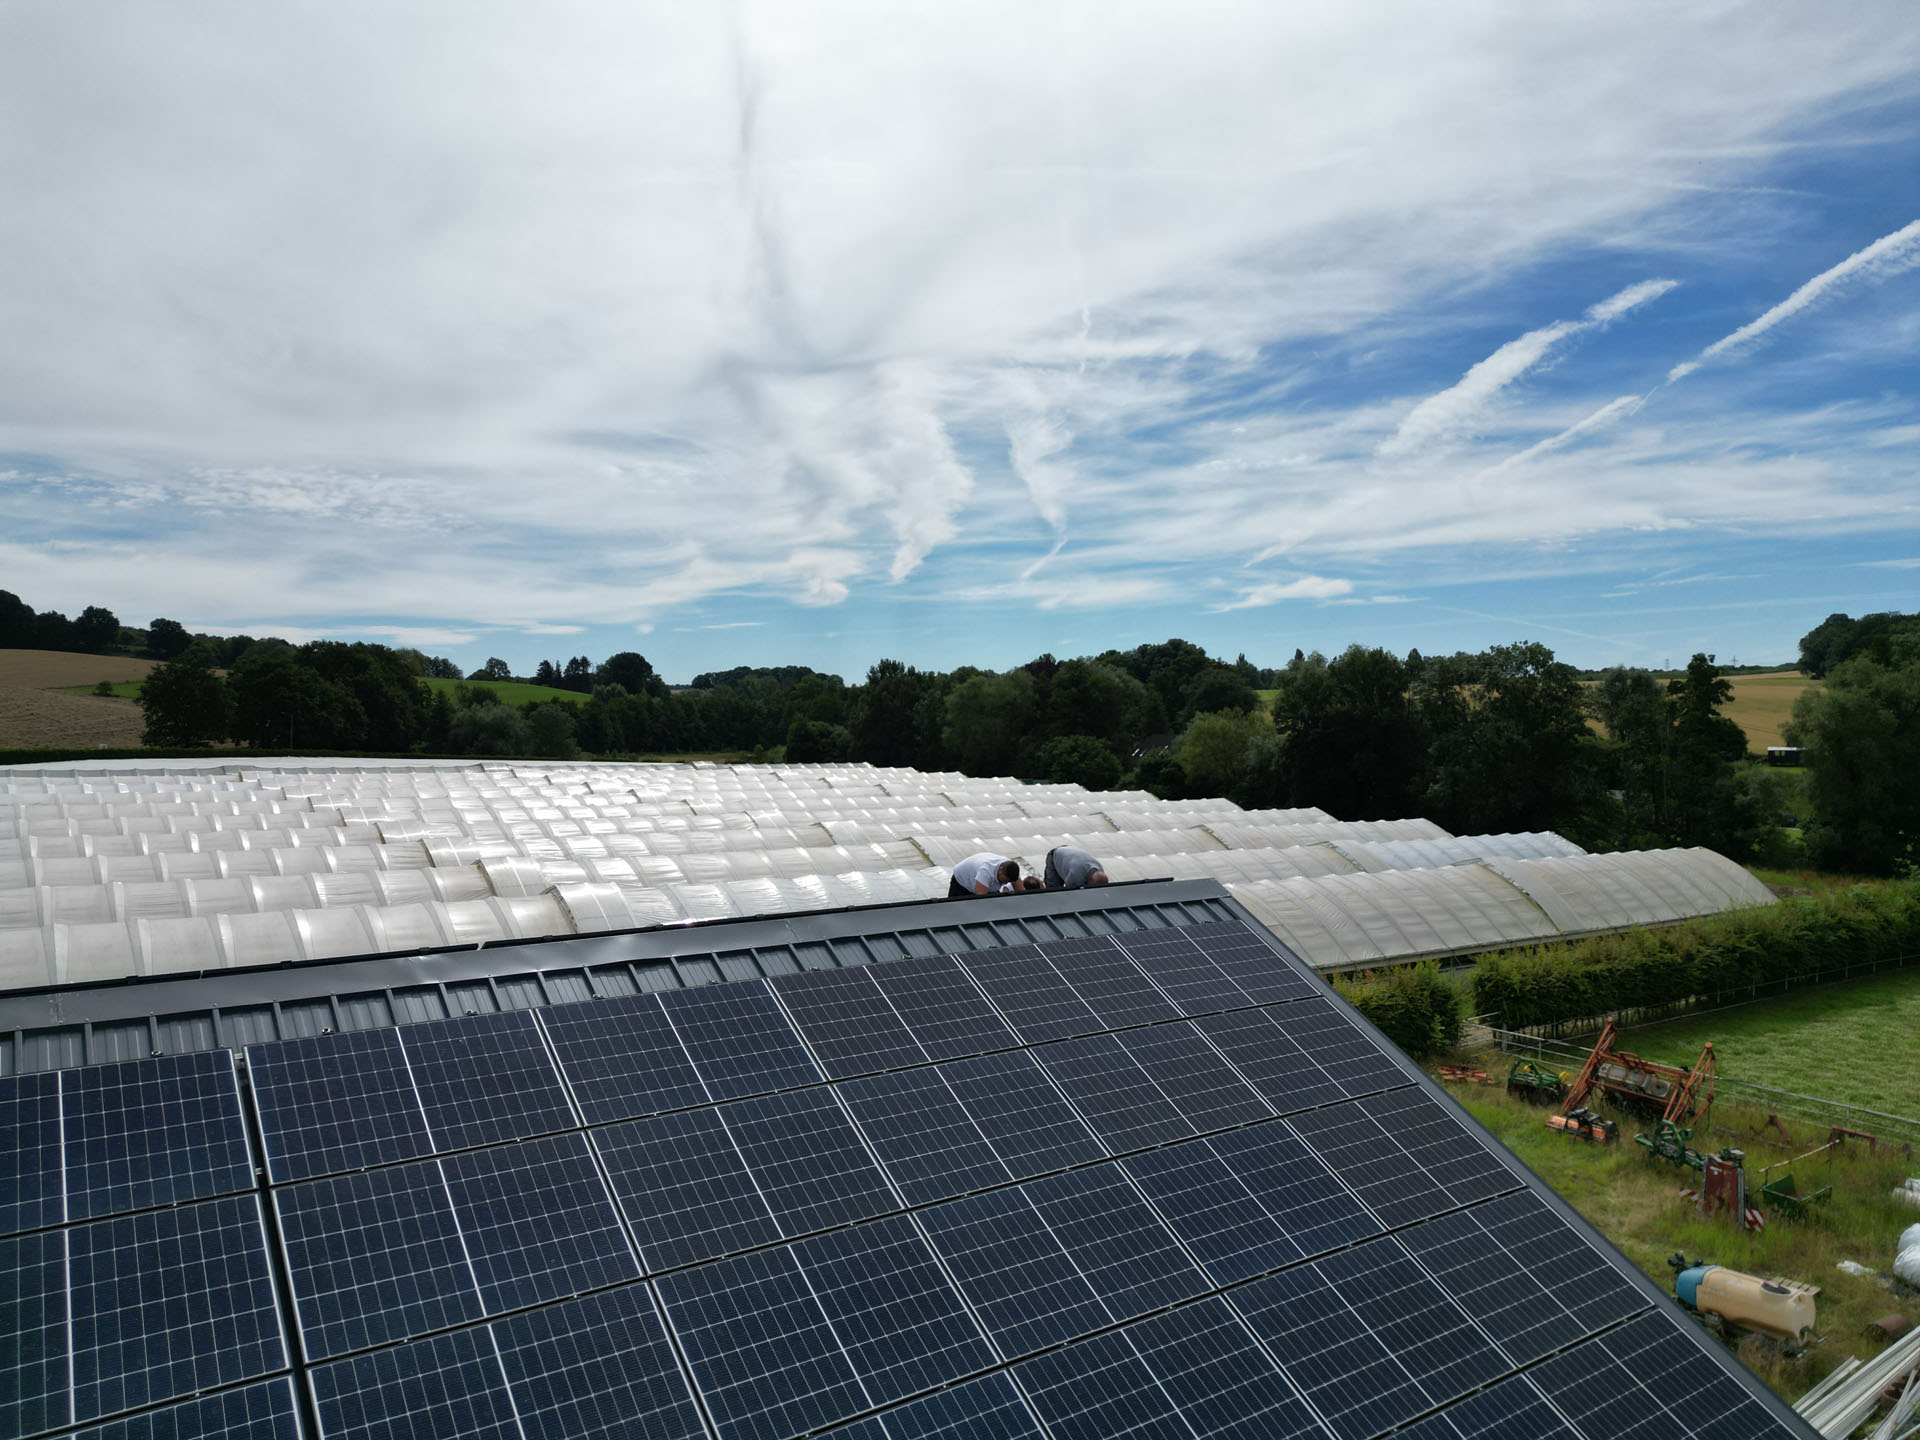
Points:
[1852,1042]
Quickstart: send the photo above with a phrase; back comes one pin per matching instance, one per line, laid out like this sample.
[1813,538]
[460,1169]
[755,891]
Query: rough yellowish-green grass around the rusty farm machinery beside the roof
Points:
[1635,1201]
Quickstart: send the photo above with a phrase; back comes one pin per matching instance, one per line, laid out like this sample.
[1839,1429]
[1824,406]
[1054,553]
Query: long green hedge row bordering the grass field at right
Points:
[1787,944]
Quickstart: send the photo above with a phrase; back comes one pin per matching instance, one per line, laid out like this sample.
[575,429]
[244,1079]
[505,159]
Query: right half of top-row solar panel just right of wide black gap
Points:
[485,1080]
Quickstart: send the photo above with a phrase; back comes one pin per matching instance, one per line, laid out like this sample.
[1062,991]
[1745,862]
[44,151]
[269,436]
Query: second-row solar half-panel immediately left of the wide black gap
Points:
[170,1303]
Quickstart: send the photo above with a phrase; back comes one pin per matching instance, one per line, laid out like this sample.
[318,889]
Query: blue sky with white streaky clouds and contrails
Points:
[821,335]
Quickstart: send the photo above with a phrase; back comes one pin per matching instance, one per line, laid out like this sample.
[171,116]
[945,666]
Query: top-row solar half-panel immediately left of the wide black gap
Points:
[153,1132]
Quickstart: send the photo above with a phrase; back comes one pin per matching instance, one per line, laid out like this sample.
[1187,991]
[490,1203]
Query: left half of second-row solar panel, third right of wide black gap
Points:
[924,1138]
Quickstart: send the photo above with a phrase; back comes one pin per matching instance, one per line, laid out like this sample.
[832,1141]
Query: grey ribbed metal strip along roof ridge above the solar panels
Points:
[59,1028]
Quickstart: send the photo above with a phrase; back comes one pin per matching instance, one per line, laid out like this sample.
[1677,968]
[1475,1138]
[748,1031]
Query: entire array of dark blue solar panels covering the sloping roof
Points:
[1145,1184]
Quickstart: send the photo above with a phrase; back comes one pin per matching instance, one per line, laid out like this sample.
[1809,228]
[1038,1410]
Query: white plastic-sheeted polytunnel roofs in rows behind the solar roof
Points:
[112,871]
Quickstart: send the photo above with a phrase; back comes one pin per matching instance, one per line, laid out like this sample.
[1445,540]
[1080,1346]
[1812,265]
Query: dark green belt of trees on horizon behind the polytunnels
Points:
[1500,740]
